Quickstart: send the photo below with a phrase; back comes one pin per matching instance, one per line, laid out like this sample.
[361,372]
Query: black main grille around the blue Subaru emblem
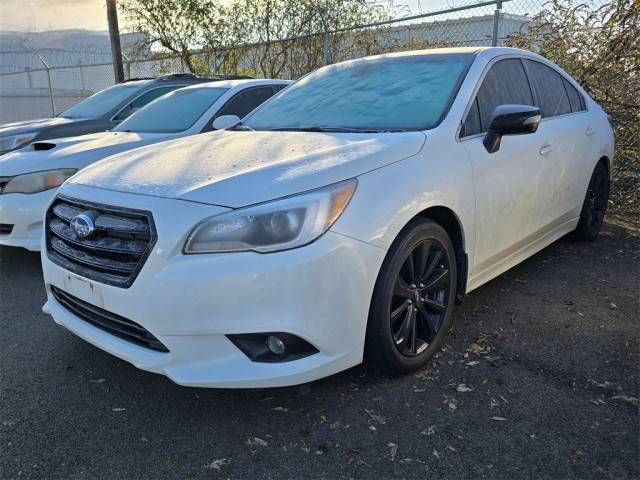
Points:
[113,254]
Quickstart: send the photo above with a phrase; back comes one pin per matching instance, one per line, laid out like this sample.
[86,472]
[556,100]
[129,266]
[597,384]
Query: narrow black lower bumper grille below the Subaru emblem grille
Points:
[109,322]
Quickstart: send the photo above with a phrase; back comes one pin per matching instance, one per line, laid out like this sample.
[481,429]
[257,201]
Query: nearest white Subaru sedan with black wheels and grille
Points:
[339,222]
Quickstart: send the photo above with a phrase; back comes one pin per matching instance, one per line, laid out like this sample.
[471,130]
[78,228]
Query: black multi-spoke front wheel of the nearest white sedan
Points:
[412,304]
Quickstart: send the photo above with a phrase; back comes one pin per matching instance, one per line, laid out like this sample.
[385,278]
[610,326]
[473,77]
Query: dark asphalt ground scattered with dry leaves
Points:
[538,379]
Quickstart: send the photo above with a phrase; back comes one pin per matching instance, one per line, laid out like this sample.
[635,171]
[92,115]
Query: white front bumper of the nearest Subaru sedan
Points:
[320,292]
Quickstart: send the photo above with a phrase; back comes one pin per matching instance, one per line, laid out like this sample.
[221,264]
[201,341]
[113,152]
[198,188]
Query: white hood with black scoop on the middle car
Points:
[72,152]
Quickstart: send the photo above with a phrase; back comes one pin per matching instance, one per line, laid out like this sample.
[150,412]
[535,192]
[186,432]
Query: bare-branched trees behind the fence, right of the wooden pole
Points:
[269,38]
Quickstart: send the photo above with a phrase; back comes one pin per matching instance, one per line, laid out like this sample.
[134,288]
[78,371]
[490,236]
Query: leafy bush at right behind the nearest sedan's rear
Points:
[600,48]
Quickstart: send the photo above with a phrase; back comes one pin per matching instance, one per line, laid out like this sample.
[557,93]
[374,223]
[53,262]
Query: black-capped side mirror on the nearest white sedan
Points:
[510,120]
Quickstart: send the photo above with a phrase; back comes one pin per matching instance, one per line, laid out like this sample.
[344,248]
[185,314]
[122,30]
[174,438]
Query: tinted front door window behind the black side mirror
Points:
[505,83]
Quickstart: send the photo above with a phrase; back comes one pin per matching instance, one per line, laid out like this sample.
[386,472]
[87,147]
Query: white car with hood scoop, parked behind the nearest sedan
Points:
[29,177]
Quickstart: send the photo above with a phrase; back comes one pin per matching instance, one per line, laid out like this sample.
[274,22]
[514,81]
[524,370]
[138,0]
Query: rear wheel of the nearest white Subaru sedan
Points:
[594,205]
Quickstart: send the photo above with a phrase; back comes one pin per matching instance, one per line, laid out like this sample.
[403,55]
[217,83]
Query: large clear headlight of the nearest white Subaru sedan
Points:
[273,226]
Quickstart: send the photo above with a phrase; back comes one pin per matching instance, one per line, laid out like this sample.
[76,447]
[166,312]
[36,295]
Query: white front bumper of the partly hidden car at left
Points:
[25,213]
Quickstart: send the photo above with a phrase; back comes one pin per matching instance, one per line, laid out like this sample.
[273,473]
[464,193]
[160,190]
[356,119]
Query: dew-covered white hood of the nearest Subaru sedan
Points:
[238,168]
